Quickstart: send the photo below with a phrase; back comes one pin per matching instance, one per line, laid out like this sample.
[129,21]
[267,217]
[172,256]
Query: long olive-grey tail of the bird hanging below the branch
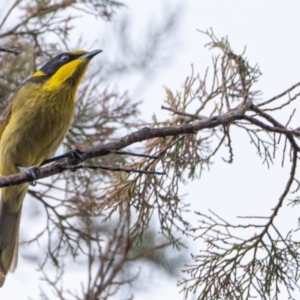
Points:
[9,240]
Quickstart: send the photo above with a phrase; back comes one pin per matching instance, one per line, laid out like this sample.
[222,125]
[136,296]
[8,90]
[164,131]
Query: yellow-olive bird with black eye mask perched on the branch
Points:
[33,126]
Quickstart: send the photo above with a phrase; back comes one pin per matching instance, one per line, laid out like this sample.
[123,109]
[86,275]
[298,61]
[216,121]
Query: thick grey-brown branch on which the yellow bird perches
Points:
[147,133]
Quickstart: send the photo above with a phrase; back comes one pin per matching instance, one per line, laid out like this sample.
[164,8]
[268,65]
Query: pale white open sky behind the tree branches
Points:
[271,32]
